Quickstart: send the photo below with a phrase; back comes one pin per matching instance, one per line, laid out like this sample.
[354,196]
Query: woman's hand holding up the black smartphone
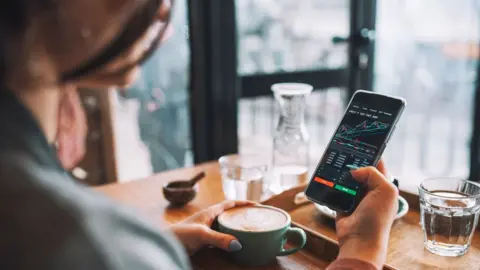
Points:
[364,234]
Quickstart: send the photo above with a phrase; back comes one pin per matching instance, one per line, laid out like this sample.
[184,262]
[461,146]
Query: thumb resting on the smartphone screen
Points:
[373,179]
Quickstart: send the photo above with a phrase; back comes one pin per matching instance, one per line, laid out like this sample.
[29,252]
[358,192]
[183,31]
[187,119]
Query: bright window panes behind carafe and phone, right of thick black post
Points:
[422,56]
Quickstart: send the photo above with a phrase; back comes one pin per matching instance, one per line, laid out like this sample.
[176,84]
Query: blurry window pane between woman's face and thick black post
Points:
[158,106]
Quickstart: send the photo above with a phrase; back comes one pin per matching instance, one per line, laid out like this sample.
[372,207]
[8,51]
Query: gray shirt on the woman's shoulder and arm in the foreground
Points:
[49,221]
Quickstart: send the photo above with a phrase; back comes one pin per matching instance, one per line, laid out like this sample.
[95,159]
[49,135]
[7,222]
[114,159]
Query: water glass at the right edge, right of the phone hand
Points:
[449,210]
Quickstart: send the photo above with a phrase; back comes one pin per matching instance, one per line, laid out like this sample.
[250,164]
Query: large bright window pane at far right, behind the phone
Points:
[422,55]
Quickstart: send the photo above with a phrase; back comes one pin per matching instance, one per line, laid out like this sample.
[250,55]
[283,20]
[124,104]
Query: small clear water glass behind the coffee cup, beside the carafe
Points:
[243,177]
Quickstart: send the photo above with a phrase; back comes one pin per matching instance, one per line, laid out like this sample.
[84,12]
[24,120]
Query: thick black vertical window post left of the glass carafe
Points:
[214,82]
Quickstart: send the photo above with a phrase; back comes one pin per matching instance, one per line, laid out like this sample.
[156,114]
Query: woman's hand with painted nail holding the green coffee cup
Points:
[195,232]
